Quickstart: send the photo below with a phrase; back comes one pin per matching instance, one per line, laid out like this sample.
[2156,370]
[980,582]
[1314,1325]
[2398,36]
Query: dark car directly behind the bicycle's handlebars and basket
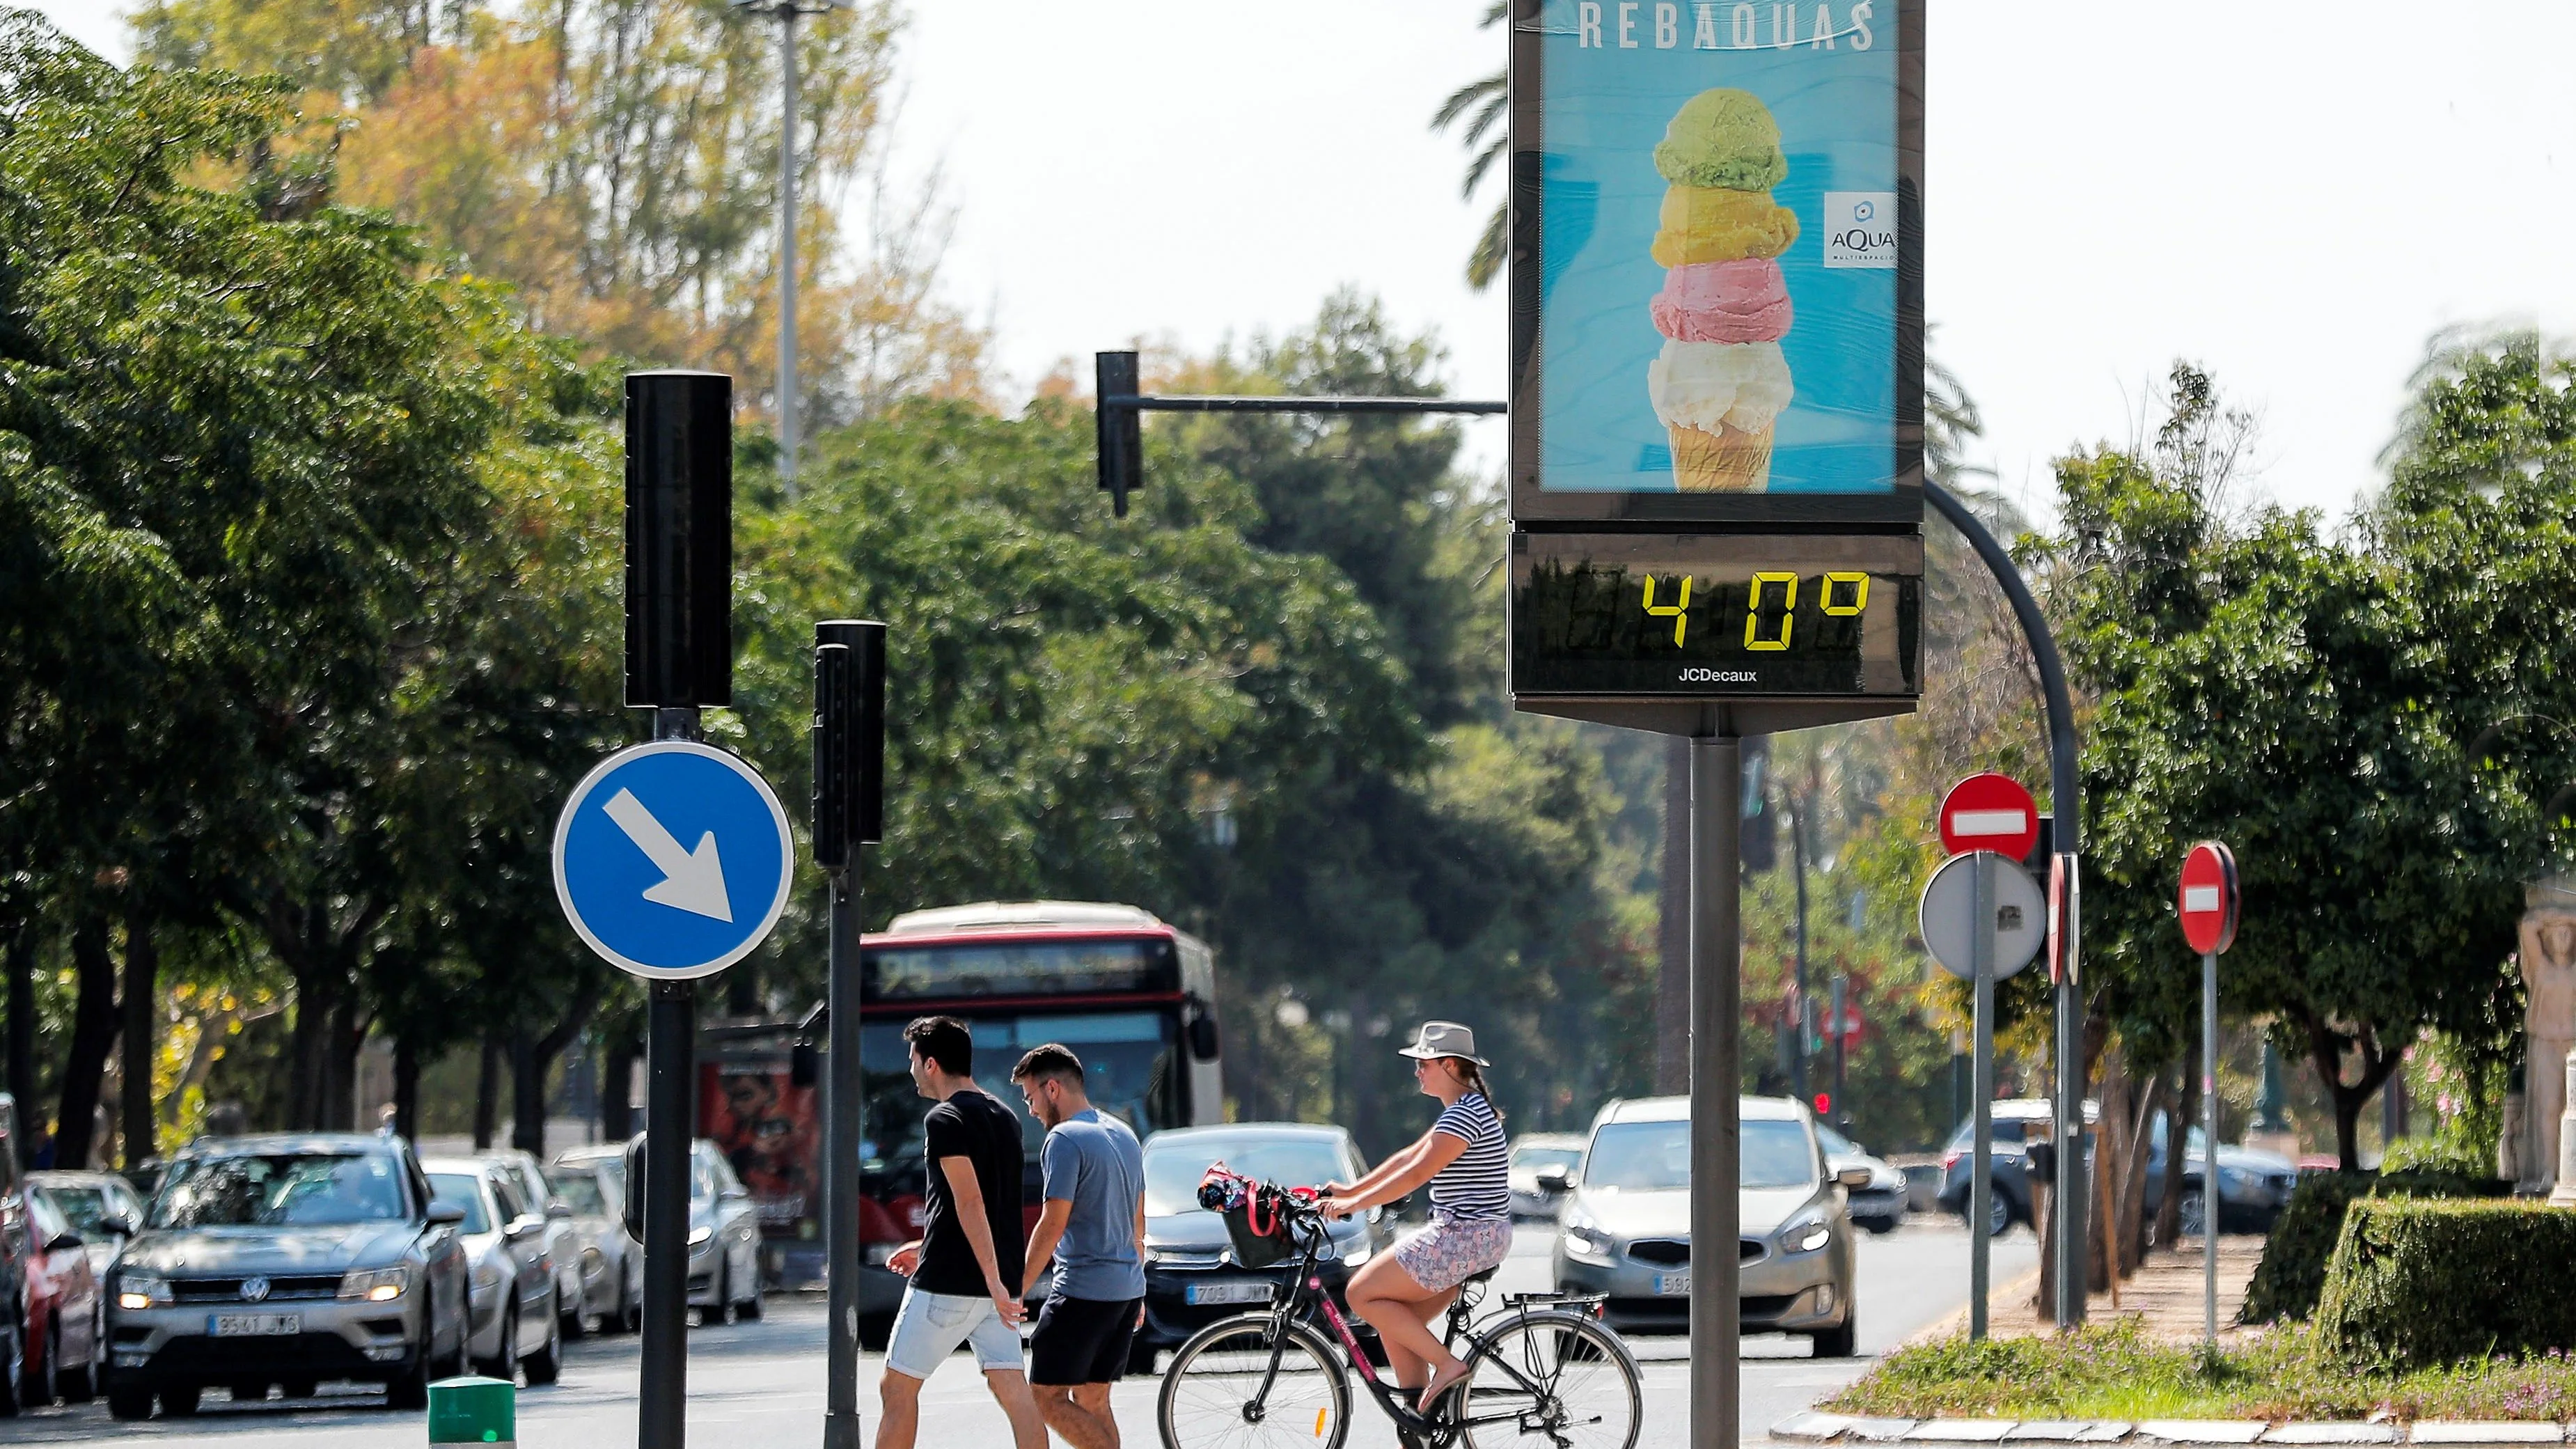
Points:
[1191,1275]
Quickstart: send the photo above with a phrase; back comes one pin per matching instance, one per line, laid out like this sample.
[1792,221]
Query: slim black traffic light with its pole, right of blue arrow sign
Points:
[849,811]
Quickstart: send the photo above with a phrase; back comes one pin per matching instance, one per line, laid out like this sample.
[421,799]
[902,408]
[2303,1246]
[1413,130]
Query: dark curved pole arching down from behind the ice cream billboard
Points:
[2067,803]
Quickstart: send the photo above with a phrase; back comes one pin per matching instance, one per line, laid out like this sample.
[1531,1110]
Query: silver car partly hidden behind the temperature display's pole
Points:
[1627,1229]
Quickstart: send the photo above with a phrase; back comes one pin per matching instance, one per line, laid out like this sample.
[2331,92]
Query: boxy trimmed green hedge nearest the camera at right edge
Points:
[2420,1283]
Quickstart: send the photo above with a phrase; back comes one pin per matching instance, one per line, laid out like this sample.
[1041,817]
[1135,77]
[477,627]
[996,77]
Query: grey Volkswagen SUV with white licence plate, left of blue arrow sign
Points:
[287,1259]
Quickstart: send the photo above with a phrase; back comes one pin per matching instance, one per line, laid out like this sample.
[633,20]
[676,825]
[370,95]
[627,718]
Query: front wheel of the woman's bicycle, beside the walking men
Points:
[1253,1383]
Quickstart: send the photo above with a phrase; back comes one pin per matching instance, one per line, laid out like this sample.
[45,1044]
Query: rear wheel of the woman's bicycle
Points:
[1549,1381]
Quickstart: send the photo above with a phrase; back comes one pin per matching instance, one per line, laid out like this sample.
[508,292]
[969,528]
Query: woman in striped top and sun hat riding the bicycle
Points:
[1472,1213]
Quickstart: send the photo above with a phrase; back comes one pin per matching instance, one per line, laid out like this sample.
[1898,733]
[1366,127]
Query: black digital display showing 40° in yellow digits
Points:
[1717,615]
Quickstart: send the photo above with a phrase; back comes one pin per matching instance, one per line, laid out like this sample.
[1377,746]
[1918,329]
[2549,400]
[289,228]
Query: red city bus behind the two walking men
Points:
[1130,994]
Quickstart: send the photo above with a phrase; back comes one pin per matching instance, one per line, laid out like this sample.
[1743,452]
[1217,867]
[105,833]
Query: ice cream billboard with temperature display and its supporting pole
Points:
[1717,442]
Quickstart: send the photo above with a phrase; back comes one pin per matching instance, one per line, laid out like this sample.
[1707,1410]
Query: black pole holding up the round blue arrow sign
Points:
[668,1133]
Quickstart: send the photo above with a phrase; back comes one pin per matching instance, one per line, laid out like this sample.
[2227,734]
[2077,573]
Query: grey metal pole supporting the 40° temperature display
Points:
[1717,801]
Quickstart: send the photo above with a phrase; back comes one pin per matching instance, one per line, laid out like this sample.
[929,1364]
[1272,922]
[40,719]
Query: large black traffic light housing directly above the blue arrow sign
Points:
[679,538]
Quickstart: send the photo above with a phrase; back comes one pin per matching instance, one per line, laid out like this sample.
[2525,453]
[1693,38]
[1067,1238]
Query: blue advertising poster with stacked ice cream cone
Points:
[1717,262]
